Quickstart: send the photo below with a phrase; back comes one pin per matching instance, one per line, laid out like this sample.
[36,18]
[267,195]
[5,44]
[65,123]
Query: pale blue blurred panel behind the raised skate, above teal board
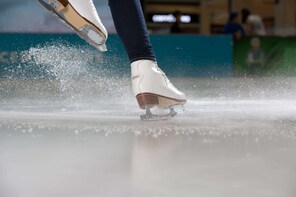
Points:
[29,16]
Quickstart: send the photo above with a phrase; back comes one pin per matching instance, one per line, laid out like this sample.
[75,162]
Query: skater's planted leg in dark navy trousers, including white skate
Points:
[151,86]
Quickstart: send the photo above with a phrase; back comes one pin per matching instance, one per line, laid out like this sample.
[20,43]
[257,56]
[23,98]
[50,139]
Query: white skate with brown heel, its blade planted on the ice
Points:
[153,89]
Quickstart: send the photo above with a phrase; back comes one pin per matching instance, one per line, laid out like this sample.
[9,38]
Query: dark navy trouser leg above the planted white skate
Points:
[131,27]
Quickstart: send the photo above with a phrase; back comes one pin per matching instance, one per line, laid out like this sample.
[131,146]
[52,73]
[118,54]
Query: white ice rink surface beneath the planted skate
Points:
[74,137]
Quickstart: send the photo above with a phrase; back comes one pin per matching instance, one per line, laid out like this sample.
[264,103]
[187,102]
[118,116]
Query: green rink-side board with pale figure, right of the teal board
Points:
[279,57]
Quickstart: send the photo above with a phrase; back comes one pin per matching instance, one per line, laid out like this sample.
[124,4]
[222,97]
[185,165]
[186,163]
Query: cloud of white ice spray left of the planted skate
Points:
[79,73]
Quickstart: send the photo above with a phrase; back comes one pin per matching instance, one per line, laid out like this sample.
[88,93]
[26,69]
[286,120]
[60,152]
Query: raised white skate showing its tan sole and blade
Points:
[82,17]
